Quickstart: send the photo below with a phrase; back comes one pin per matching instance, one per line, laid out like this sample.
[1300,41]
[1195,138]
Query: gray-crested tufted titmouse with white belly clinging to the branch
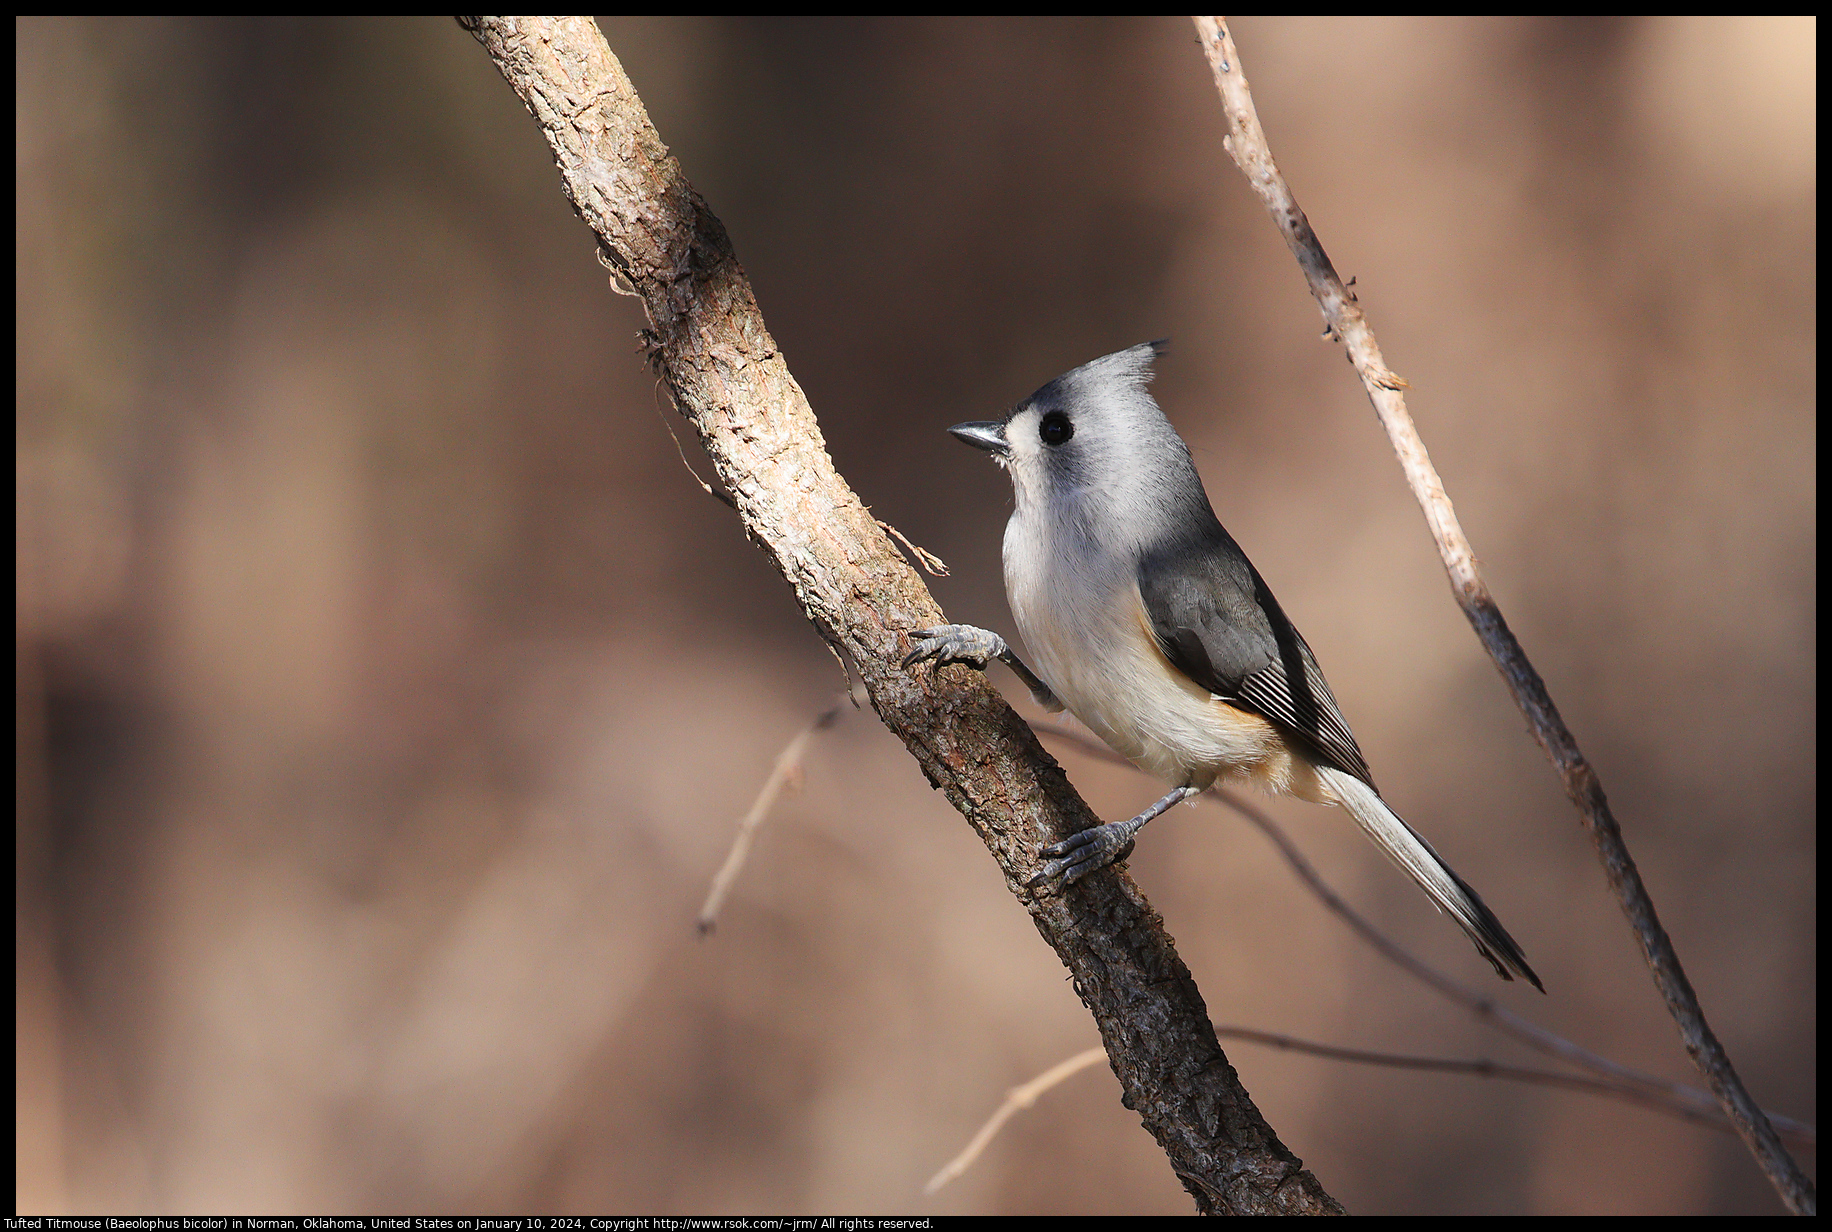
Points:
[1148,622]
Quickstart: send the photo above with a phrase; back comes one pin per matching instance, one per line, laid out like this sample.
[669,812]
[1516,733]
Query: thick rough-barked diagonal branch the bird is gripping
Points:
[728,379]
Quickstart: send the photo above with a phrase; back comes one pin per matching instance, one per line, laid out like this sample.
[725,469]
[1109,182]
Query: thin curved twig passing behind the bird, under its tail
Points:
[1674,1097]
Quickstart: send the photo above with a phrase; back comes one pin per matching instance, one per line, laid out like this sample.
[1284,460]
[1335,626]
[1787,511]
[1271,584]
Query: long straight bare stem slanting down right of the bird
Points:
[1247,144]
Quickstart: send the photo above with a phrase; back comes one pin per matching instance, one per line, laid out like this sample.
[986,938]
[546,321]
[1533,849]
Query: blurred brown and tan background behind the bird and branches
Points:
[387,692]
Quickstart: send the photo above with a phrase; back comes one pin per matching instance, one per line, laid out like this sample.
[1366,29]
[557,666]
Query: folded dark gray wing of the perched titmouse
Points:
[1219,626]
